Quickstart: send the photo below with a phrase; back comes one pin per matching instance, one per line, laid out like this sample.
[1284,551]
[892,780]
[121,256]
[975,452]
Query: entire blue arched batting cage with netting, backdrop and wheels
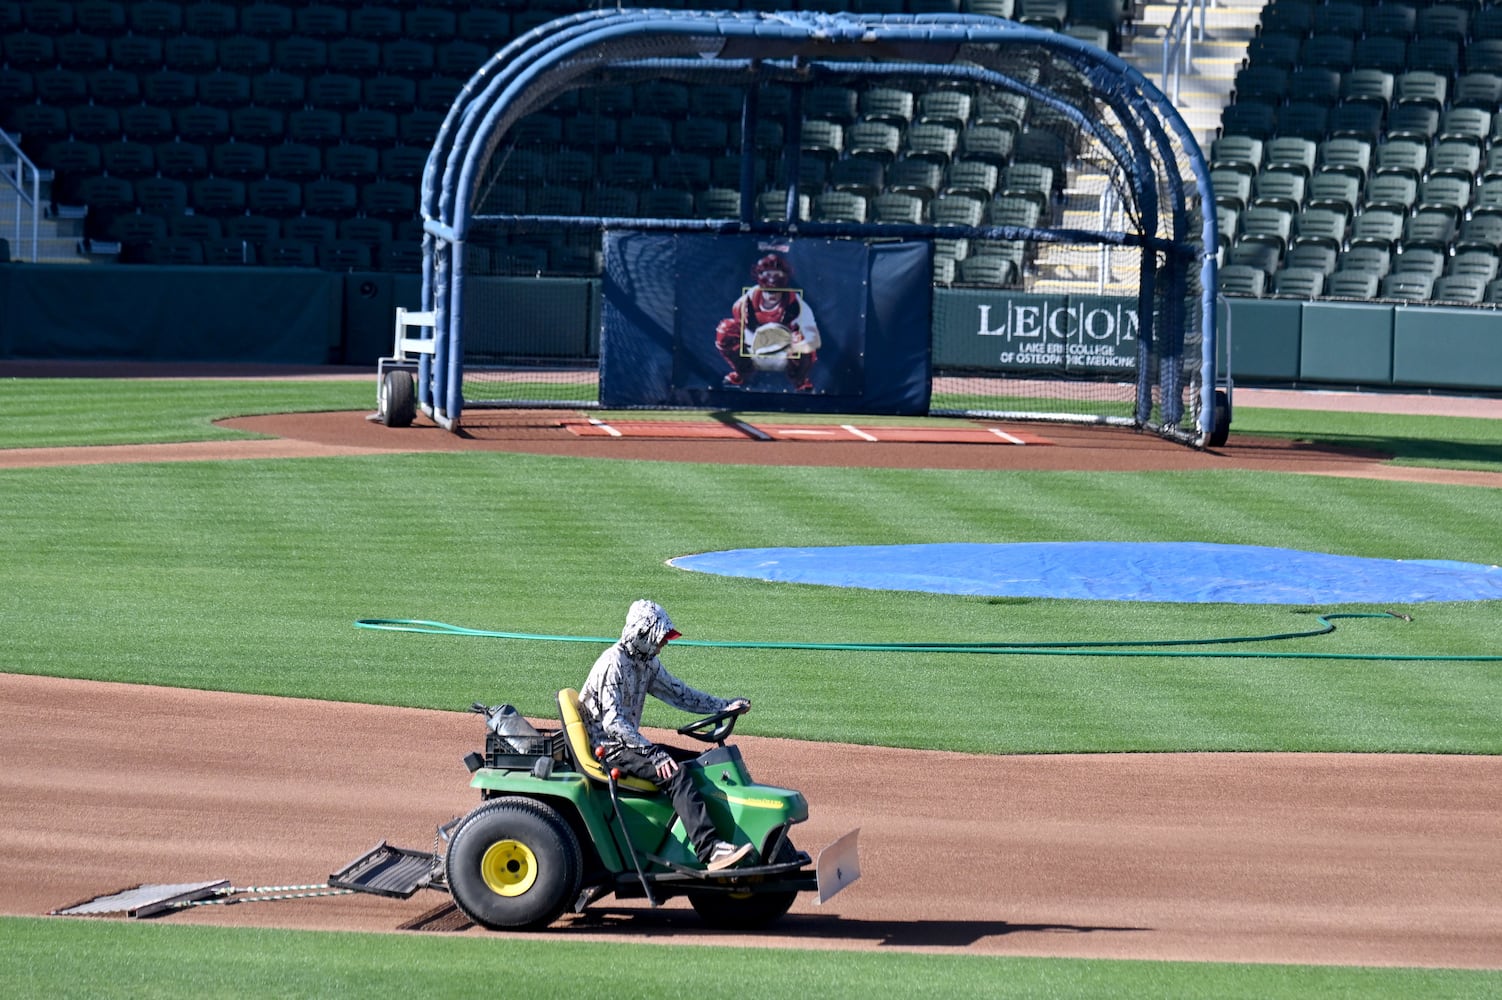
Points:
[818,214]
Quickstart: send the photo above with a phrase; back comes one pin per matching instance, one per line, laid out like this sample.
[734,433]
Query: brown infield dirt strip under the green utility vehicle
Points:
[1294,858]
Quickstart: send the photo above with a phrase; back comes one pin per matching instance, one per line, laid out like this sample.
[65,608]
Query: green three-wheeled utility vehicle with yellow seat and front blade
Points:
[556,831]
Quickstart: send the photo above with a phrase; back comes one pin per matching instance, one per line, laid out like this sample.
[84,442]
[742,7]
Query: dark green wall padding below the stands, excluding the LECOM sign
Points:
[313,318]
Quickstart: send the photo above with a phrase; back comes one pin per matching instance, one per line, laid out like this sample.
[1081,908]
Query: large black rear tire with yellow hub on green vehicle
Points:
[514,866]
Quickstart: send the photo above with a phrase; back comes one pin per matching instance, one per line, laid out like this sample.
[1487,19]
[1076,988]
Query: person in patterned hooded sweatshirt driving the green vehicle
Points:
[612,702]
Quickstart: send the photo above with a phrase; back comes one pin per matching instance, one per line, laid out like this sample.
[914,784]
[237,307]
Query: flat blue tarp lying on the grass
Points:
[1192,573]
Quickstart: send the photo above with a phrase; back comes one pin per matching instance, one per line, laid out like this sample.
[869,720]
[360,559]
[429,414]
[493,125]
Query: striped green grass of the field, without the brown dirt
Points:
[249,576]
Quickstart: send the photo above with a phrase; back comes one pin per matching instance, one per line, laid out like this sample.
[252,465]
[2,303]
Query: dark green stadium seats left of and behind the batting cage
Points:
[228,133]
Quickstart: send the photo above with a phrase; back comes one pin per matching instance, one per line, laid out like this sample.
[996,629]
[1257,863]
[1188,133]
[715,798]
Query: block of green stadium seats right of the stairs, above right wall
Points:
[1362,154]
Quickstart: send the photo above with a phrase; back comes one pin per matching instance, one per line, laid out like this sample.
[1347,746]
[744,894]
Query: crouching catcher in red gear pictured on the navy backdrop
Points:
[770,328]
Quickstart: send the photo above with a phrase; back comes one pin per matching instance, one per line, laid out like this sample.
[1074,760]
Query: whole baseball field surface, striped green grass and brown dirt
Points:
[187,697]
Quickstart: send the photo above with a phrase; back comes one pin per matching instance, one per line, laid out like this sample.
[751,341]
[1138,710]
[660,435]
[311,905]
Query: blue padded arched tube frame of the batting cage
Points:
[538,65]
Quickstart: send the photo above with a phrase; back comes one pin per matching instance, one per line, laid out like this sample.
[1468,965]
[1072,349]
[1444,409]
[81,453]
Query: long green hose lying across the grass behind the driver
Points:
[1141,648]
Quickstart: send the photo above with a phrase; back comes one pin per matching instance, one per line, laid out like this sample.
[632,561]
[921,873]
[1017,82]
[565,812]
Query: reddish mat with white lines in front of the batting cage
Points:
[740,430]
